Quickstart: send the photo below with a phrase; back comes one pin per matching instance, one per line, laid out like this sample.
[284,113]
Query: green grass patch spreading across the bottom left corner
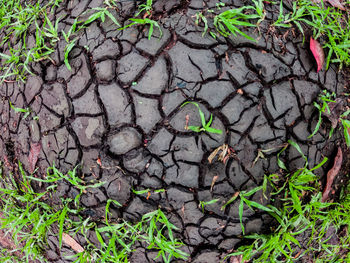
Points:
[29,219]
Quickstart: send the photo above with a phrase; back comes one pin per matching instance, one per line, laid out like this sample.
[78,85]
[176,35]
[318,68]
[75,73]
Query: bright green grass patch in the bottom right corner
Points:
[301,216]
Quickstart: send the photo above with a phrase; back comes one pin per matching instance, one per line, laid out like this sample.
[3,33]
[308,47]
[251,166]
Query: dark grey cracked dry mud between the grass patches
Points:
[120,104]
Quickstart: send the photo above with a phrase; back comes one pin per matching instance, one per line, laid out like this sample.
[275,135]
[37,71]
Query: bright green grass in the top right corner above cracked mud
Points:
[326,22]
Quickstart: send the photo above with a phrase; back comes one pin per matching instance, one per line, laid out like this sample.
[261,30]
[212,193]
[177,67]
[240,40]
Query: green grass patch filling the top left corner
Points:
[21,20]
